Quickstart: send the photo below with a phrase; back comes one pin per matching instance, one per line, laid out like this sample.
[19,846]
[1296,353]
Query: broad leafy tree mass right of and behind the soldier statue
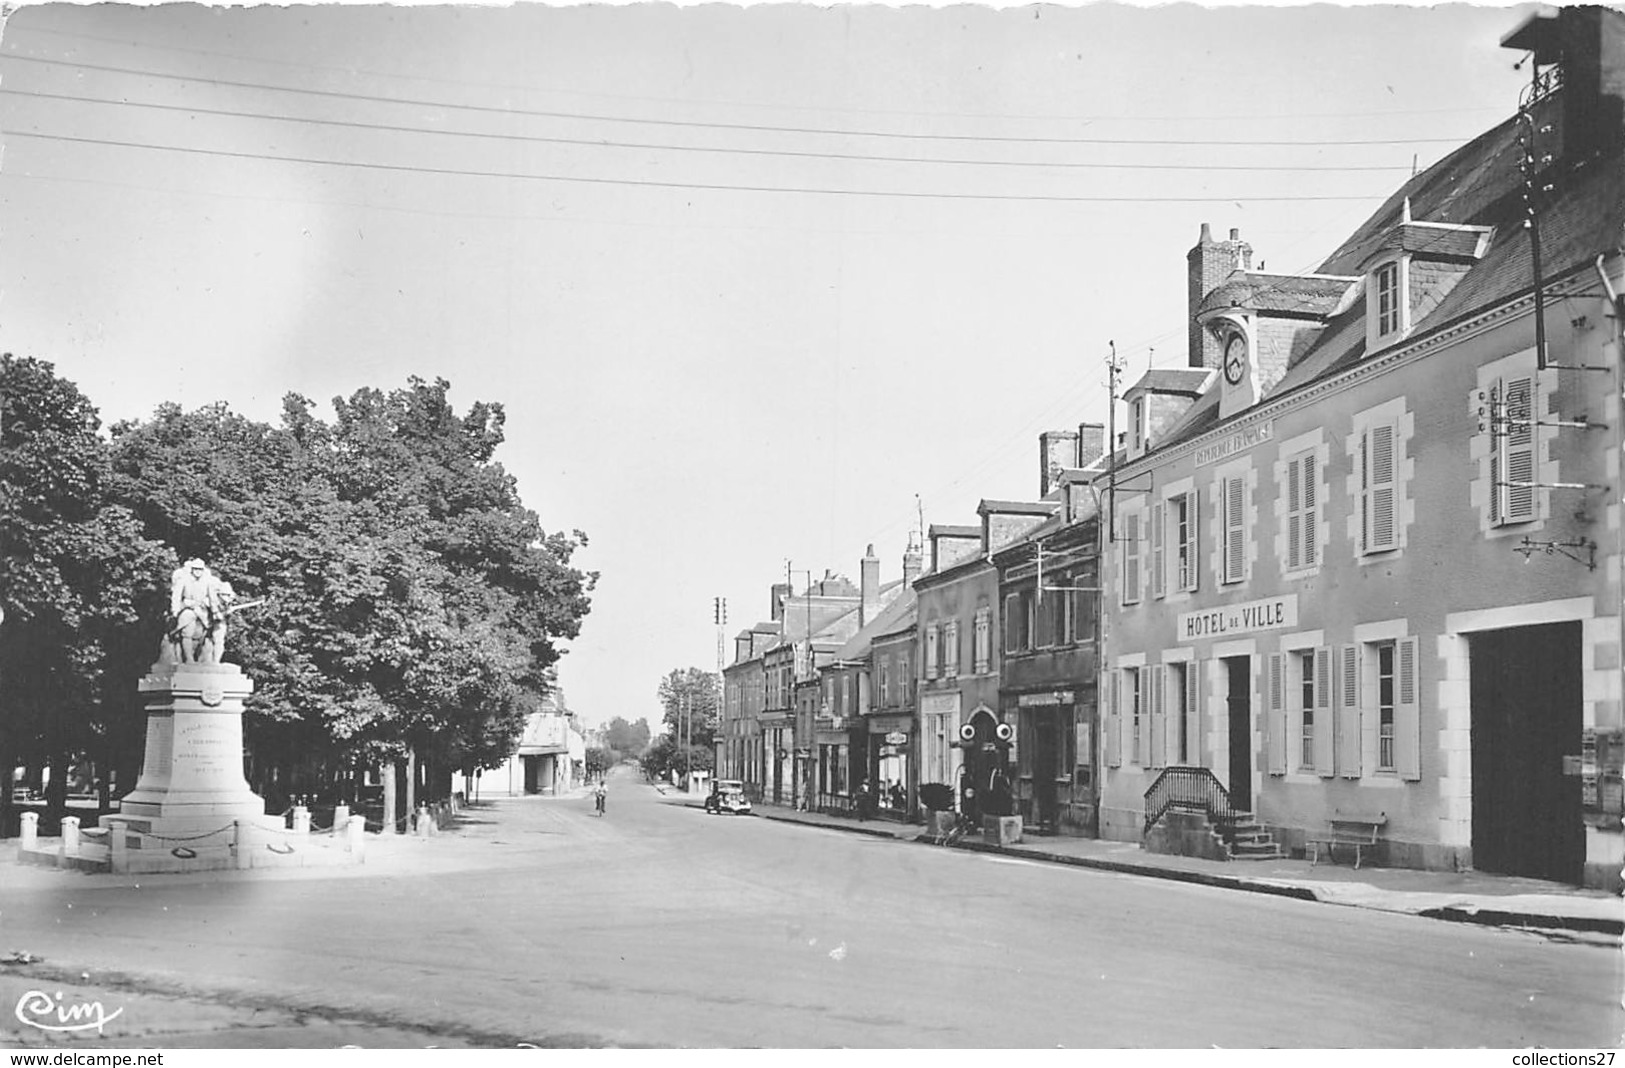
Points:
[414,602]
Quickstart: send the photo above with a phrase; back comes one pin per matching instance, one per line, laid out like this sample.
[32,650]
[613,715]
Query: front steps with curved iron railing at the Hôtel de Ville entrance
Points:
[1189,812]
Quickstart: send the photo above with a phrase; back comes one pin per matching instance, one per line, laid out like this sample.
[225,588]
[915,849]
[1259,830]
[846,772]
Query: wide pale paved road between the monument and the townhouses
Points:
[662,926]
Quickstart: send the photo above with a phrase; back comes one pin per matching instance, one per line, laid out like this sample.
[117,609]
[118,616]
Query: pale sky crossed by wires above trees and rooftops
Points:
[758,287]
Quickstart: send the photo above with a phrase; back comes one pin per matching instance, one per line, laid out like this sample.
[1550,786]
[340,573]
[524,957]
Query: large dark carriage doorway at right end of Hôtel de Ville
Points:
[1527,718]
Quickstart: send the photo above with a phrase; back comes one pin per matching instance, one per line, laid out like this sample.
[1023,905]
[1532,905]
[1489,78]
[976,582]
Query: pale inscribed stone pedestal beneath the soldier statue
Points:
[193,770]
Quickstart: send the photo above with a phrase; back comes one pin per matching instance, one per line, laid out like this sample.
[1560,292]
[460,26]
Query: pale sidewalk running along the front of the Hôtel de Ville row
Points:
[1462,897]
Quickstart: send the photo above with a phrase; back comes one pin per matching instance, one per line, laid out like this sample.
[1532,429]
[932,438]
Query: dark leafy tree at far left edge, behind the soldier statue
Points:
[72,584]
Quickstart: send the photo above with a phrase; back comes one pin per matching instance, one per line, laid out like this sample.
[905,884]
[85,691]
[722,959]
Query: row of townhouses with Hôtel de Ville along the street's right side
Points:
[1359,560]
